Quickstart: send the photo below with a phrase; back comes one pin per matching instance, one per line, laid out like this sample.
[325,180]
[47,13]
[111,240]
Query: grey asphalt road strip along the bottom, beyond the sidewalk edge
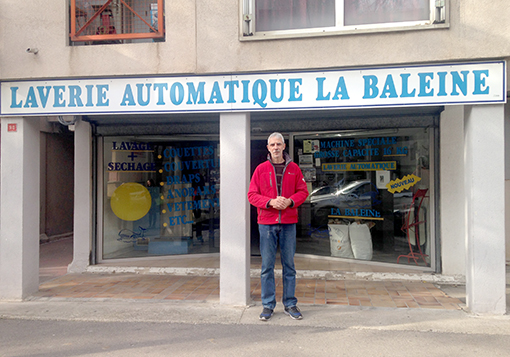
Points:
[85,338]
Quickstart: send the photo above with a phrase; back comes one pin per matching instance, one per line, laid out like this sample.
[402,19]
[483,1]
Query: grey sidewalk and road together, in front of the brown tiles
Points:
[128,328]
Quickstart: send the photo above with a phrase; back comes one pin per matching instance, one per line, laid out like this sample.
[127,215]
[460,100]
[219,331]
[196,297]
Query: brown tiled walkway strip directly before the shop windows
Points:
[57,285]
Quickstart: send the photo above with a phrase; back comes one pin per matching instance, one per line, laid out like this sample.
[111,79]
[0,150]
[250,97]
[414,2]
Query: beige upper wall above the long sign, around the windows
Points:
[203,37]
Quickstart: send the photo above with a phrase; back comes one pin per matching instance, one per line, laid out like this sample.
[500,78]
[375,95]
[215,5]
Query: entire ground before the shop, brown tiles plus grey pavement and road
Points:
[131,314]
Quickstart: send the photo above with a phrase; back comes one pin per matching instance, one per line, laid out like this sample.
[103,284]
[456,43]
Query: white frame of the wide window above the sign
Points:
[439,15]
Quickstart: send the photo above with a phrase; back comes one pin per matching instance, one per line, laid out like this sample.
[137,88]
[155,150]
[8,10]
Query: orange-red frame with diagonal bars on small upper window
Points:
[75,34]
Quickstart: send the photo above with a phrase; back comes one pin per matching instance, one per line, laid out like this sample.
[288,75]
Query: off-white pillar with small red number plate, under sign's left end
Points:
[19,213]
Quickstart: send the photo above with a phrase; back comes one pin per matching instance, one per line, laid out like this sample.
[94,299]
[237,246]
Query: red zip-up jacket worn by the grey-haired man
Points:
[263,188]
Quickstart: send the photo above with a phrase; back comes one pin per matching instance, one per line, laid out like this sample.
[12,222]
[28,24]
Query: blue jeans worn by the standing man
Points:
[270,236]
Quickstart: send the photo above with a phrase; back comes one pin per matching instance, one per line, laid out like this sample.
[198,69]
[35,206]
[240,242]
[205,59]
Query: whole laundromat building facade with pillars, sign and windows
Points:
[395,111]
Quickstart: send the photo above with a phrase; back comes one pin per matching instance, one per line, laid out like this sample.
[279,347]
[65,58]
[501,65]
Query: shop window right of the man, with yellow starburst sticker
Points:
[370,195]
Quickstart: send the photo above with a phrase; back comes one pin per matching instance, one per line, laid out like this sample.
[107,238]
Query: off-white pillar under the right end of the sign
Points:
[485,208]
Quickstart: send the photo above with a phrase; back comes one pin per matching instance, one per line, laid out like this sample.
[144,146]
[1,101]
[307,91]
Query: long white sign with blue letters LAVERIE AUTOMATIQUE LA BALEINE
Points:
[461,83]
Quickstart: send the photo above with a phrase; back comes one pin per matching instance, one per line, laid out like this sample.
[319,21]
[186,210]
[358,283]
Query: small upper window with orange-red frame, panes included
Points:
[116,21]
